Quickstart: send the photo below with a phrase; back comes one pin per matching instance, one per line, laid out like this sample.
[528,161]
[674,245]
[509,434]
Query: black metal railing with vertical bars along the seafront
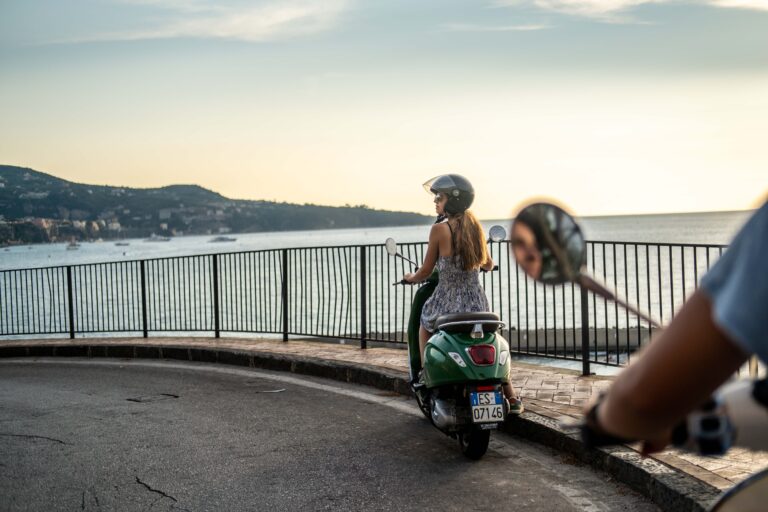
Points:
[347,292]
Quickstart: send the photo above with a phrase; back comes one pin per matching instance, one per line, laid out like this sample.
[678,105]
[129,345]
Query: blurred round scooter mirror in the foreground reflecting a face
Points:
[548,244]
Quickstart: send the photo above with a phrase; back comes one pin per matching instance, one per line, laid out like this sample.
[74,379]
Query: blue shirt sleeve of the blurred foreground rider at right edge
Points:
[738,287]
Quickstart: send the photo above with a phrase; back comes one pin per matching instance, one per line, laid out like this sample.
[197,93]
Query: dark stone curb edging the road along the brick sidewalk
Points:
[670,489]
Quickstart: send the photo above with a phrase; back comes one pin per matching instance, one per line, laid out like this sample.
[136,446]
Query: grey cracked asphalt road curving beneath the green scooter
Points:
[148,435]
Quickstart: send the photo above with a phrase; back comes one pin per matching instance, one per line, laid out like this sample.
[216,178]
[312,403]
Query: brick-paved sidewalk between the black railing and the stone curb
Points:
[552,392]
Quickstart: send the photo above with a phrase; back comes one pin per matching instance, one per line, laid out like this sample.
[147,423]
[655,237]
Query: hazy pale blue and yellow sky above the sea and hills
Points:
[615,106]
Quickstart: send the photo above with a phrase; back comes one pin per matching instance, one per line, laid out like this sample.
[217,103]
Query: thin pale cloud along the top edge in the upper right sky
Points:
[616,10]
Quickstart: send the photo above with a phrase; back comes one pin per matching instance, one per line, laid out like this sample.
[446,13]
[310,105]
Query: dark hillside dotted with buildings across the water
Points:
[38,207]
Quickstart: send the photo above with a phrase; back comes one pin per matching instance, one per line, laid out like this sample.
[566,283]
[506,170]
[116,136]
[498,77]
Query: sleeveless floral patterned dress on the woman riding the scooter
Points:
[458,291]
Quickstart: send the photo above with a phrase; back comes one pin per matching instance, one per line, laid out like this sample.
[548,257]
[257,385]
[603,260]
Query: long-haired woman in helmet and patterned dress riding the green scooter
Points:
[457,247]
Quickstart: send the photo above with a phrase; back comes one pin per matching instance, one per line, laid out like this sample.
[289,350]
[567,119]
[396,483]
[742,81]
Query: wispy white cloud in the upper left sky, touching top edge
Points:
[212,20]
